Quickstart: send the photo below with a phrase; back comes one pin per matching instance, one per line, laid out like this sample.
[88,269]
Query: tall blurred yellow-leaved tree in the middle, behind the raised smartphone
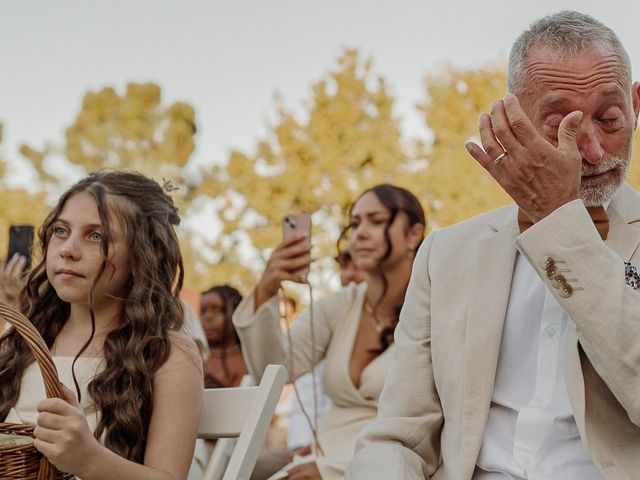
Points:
[349,140]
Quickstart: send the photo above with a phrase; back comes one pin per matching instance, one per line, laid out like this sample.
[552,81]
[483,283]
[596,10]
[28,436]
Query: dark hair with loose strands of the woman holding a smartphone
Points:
[395,199]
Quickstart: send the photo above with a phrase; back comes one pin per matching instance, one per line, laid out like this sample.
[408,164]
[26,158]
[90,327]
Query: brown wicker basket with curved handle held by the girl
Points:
[19,460]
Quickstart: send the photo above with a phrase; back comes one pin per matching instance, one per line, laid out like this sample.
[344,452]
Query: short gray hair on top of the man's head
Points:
[567,33]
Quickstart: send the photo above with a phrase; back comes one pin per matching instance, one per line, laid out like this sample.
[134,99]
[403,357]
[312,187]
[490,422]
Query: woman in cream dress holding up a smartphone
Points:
[352,328]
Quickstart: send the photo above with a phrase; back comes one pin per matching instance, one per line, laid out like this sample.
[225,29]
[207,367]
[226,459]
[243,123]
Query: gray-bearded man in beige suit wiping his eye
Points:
[518,348]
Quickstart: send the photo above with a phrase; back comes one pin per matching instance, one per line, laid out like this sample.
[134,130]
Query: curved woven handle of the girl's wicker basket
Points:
[36,344]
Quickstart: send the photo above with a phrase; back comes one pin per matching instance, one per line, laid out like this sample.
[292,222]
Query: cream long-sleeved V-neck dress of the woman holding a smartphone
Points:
[335,320]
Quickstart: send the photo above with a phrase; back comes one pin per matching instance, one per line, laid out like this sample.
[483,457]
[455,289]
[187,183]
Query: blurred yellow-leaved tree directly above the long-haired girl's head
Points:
[131,131]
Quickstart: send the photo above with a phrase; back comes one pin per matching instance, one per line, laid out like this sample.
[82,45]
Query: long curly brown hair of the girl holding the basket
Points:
[135,350]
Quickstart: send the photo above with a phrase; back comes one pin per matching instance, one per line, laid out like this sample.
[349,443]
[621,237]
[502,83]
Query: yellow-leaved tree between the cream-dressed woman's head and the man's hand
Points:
[459,187]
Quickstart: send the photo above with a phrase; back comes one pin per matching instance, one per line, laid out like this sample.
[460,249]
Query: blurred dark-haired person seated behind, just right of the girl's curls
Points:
[224,366]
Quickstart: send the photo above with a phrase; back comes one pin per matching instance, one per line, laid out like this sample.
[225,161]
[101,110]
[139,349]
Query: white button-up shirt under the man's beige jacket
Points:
[531,432]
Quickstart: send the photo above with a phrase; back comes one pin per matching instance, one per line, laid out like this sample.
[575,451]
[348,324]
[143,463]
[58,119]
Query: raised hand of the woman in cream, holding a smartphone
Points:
[285,262]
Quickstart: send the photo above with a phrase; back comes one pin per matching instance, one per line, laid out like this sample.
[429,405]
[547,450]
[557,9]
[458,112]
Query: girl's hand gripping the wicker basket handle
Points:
[62,434]
